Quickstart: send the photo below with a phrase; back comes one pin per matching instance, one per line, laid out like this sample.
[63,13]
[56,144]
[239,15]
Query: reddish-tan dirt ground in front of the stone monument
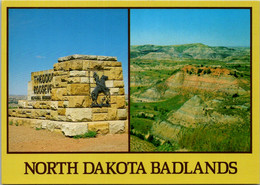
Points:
[25,139]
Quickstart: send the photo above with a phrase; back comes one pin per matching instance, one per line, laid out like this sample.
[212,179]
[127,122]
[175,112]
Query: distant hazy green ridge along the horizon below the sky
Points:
[186,51]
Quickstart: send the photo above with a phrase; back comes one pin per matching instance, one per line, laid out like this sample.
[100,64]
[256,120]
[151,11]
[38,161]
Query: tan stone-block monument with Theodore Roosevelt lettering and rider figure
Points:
[81,93]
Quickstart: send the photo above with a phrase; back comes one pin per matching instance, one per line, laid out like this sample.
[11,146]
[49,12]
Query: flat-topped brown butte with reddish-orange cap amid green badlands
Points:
[205,78]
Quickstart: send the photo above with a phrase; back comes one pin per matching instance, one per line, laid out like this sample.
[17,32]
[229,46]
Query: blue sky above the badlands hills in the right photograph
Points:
[214,27]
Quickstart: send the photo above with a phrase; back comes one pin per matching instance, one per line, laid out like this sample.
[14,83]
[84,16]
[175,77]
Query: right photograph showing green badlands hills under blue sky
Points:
[190,80]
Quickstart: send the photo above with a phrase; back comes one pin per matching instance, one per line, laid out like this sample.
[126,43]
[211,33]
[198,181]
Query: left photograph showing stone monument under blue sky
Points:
[67,80]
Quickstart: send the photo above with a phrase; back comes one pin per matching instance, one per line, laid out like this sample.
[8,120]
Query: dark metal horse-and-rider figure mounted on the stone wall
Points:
[100,88]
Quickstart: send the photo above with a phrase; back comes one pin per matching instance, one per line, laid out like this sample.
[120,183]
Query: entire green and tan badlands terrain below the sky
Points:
[192,98]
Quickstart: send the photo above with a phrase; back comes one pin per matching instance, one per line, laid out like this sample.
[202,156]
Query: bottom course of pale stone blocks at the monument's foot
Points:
[73,128]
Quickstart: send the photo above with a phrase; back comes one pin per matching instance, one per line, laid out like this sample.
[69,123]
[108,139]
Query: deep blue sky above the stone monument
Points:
[38,37]
